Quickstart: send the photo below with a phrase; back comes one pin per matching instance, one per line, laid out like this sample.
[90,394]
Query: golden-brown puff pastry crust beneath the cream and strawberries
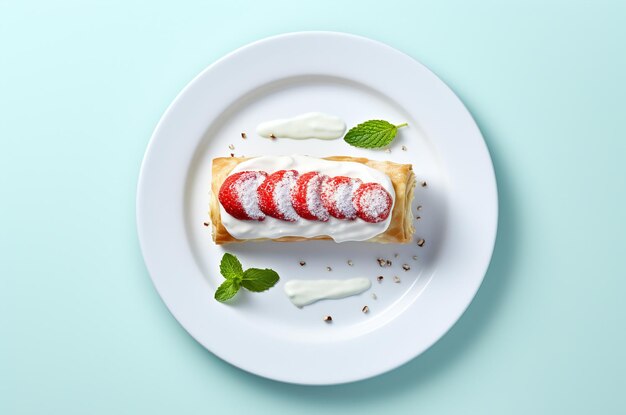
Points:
[400,228]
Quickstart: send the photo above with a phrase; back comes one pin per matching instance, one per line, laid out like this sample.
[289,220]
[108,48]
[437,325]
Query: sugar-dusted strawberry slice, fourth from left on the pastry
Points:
[337,196]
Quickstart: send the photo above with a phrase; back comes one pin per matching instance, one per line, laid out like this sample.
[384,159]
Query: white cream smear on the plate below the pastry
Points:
[304,292]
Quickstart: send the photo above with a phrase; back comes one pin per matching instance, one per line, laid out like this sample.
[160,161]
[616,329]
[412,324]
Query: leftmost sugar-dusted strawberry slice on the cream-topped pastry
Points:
[238,195]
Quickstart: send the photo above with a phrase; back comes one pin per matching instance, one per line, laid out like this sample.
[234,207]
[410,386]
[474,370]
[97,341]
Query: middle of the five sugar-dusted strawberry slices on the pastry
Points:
[306,197]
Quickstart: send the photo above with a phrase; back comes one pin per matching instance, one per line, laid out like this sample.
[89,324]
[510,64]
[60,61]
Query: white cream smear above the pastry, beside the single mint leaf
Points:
[309,125]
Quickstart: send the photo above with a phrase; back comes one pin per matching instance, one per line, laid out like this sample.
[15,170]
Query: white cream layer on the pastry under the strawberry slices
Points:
[338,229]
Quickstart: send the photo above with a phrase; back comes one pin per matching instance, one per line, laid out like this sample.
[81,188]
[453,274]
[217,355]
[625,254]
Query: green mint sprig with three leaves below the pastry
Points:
[252,279]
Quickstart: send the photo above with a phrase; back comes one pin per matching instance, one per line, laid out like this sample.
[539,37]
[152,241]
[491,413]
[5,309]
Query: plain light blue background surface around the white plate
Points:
[82,85]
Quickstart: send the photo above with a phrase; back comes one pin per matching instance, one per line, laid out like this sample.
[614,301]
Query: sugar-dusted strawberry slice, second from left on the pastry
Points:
[275,195]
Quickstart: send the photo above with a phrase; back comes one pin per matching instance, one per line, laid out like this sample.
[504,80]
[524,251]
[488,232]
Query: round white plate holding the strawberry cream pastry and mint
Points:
[357,79]
